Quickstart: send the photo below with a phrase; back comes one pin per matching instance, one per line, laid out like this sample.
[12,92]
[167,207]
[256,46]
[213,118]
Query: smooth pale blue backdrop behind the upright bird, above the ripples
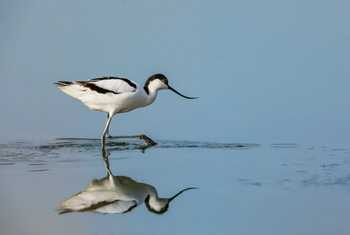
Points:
[266,71]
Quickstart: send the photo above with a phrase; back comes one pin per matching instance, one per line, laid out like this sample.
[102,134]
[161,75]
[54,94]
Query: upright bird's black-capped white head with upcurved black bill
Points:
[159,82]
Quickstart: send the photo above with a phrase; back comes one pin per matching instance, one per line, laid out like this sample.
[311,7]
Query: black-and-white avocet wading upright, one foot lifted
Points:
[115,95]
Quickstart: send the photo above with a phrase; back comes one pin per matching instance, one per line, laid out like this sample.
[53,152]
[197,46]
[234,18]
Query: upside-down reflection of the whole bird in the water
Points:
[116,194]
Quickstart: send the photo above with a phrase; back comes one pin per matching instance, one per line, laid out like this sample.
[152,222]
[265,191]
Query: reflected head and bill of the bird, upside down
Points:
[161,205]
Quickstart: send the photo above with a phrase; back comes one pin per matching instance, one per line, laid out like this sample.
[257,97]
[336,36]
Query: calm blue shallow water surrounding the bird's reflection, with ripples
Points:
[243,188]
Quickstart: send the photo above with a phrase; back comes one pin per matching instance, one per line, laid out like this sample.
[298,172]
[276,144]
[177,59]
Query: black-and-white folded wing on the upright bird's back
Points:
[110,84]
